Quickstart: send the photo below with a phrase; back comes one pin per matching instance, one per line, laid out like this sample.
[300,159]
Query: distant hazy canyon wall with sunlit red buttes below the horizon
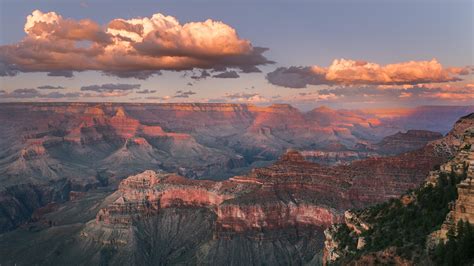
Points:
[94,145]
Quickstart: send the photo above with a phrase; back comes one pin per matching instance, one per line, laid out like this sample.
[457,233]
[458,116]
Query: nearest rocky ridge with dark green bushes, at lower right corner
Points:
[346,243]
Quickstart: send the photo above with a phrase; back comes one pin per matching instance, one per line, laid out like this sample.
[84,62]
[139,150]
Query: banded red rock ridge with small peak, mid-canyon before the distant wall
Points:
[292,195]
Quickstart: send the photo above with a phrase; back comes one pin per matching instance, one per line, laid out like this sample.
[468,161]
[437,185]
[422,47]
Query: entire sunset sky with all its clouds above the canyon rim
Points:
[342,54]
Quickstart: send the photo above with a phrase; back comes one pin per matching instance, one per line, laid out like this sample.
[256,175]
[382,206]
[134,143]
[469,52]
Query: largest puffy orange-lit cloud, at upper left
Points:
[138,47]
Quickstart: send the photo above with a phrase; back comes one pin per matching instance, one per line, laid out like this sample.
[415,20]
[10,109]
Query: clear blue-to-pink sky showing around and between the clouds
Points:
[297,33]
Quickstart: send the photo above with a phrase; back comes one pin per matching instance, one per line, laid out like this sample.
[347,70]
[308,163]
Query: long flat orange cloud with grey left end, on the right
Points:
[349,72]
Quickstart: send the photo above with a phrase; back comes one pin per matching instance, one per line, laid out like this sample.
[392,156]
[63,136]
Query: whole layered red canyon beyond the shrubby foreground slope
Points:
[221,183]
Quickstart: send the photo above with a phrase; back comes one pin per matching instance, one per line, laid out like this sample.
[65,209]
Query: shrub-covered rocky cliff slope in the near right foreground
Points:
[370,234]
